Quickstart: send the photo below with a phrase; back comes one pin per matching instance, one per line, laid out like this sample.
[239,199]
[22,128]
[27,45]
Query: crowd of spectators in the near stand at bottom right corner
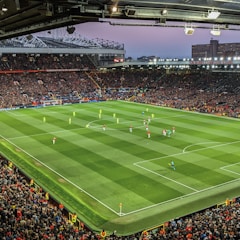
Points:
[215,223]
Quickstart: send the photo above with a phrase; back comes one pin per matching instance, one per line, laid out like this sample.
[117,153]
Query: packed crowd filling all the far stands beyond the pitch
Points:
[24,81]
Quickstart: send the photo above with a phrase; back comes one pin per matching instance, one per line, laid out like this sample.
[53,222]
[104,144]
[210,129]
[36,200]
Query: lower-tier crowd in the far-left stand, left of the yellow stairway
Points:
[27,89]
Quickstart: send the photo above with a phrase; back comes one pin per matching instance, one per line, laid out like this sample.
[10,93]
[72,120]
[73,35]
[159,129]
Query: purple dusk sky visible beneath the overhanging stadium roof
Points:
[163,42]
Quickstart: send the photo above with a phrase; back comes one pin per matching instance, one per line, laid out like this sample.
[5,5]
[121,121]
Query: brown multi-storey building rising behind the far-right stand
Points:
[214,49]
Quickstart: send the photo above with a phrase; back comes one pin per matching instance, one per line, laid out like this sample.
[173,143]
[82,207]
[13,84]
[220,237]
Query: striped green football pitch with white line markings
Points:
[119,180]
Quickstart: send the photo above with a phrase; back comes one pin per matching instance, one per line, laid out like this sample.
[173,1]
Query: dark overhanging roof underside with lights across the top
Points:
[21,17]
